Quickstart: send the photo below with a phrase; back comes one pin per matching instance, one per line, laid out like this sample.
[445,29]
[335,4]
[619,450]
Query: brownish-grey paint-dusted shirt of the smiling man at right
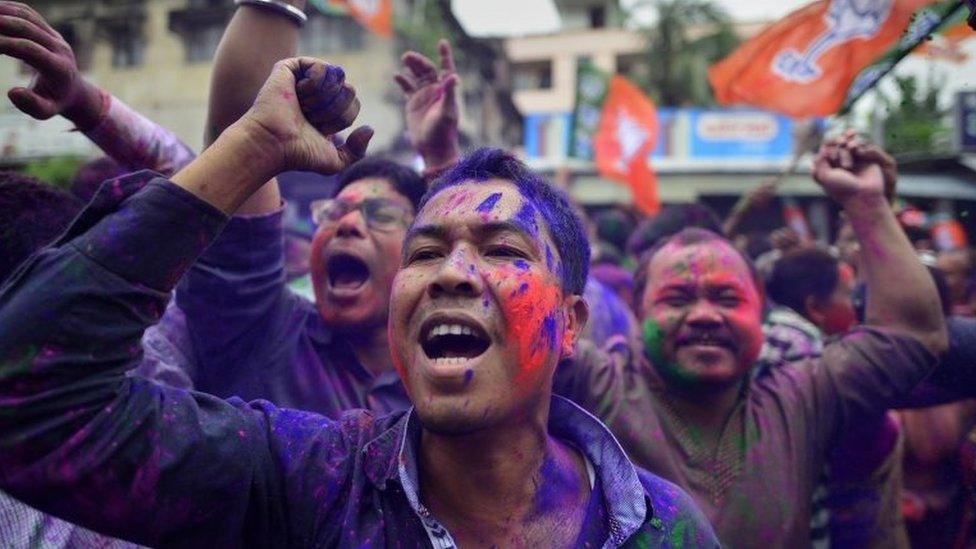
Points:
[756,487]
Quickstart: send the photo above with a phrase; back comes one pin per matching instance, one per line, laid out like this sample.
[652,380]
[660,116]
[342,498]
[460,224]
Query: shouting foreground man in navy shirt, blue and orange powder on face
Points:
[486,302]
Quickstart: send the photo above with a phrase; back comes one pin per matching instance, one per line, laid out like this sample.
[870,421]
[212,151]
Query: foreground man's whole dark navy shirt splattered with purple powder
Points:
[171,467]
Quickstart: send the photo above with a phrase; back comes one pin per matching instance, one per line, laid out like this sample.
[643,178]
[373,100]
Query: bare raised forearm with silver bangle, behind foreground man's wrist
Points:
[254,40]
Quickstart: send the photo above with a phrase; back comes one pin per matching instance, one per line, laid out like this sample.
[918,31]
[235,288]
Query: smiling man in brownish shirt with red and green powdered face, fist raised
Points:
[751,450]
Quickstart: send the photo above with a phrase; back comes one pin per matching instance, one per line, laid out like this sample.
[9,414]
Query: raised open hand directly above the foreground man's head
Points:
[432,111]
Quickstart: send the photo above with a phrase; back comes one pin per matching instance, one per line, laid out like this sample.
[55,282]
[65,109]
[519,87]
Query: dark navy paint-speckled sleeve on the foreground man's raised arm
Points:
[123,455]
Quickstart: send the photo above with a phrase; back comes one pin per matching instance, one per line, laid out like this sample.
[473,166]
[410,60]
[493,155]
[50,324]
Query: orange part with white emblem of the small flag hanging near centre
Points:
[624,138]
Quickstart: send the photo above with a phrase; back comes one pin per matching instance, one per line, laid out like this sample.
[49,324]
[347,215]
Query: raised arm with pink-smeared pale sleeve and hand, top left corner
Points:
[59,89]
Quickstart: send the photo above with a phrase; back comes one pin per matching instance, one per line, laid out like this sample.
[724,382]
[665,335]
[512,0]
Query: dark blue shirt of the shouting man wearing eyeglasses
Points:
[236,329]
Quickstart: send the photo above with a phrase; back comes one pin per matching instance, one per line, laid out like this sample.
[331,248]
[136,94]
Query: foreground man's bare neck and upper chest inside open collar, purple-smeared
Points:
[476,483]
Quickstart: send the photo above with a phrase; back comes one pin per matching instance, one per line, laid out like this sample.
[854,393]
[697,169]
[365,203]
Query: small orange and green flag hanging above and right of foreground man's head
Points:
[615,126]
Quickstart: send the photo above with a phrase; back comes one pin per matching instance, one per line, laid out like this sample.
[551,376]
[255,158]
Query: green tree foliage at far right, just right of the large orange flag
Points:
[914,124]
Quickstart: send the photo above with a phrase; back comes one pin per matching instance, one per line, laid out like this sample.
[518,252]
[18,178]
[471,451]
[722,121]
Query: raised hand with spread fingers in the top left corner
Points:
[58,86]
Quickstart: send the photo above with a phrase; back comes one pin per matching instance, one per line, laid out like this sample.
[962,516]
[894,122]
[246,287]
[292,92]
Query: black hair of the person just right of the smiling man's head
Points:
[810,272]
